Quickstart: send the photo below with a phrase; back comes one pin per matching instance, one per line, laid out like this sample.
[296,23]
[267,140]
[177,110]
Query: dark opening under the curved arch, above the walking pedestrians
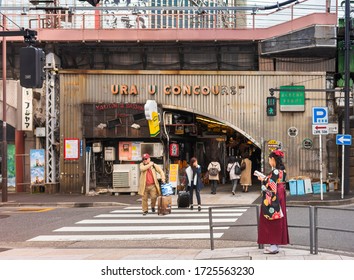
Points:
[208,139]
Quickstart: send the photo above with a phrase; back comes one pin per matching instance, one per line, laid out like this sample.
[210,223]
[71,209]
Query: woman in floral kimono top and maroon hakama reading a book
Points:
[273,229]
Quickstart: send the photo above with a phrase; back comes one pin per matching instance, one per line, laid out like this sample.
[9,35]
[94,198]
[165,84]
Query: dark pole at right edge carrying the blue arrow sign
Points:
[347,43]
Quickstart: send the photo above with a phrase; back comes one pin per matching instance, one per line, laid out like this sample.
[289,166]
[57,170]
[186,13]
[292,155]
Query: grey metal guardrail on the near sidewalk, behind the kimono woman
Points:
[312,226]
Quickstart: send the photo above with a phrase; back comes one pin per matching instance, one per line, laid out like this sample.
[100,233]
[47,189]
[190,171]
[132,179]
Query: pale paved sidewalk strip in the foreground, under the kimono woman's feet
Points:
[239,253]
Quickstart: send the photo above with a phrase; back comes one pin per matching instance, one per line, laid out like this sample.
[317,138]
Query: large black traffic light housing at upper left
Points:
[31,67]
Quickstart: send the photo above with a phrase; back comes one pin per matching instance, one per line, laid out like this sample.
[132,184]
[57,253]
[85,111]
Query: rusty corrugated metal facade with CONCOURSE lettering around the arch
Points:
[236,98]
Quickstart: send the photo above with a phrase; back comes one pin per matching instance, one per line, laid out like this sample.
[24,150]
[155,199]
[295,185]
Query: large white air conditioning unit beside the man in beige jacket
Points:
[125,178]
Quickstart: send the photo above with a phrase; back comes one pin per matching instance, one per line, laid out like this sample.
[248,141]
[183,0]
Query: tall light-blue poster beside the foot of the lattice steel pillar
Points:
[37,162]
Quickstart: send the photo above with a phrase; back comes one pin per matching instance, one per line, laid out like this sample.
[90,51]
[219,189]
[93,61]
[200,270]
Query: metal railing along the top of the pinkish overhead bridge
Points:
[135,16]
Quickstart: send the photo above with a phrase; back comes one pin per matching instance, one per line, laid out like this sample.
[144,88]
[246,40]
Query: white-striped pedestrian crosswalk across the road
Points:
[129,224]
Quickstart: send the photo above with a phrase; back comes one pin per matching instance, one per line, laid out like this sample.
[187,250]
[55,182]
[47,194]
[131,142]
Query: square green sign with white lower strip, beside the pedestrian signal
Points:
[292,99]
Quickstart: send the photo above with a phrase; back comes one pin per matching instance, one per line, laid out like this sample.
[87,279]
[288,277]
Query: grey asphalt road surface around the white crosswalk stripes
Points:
[19,225]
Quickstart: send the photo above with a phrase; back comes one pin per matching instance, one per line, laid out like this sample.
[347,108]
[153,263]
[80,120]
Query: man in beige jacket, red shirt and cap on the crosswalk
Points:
[148,184]
